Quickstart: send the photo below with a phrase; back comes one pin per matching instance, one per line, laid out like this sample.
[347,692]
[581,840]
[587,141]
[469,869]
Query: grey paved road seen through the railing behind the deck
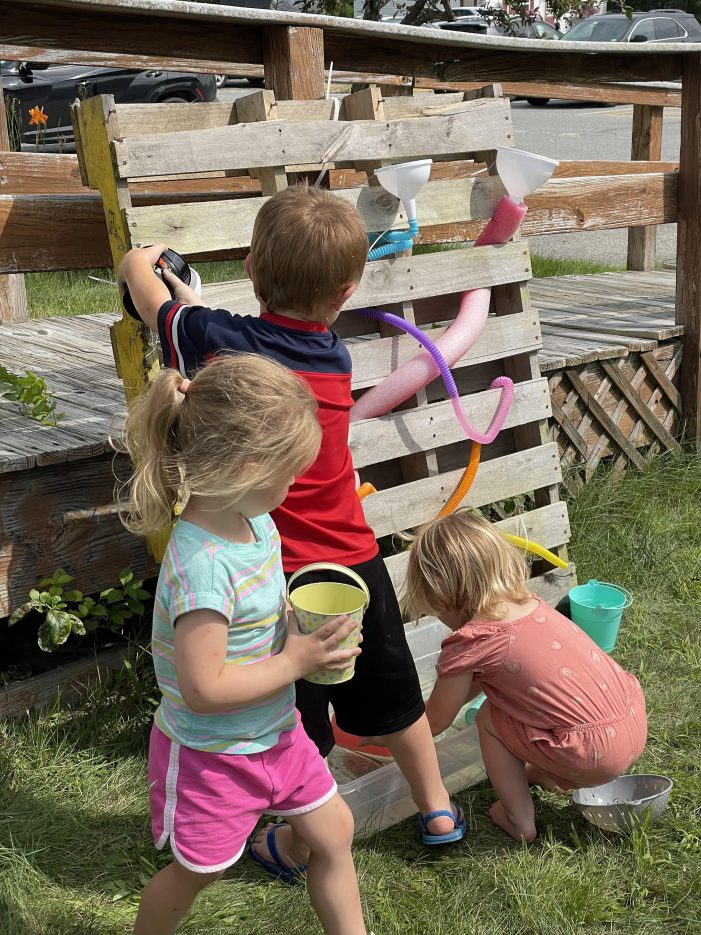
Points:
[574,130]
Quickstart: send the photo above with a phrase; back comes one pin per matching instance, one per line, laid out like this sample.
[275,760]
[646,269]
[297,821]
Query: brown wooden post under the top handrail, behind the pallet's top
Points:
[293,61]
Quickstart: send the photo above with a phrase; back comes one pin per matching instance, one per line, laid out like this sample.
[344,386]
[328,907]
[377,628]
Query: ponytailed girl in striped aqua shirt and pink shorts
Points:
[226,745]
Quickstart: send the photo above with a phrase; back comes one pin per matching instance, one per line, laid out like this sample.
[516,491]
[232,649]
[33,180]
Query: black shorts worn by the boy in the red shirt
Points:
[384,695]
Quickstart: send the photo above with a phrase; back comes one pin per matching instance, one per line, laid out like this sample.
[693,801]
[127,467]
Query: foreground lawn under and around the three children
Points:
[74,837]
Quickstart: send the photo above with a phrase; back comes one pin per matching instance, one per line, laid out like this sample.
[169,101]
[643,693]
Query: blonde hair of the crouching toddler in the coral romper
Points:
[461,563]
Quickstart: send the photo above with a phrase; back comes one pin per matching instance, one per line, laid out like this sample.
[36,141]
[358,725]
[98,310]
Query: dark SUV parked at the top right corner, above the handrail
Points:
[653,26]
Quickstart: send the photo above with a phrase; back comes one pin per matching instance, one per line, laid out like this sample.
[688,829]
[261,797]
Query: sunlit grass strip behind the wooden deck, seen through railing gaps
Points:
[72,293]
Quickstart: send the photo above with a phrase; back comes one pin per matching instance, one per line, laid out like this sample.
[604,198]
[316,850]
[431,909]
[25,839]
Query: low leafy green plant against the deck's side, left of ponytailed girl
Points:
[70,611]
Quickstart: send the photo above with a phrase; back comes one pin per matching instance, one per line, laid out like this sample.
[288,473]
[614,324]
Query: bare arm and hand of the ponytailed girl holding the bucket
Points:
[208,684]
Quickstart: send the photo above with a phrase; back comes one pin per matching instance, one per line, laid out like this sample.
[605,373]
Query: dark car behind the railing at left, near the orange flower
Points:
[53,88]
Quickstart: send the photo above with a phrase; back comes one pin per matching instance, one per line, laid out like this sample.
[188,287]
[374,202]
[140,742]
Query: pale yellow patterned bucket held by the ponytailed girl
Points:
[315,604]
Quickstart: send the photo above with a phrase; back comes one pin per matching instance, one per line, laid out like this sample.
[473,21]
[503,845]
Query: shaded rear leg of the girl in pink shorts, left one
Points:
[167,897]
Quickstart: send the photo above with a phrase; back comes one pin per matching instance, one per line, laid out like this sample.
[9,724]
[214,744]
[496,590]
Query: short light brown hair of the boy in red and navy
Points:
[307,247]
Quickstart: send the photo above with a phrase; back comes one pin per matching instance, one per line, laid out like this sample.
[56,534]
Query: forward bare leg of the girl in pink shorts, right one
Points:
[331,881]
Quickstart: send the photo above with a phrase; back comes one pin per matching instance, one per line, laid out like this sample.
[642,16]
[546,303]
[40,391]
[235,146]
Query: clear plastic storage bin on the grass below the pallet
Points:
[376,791]
